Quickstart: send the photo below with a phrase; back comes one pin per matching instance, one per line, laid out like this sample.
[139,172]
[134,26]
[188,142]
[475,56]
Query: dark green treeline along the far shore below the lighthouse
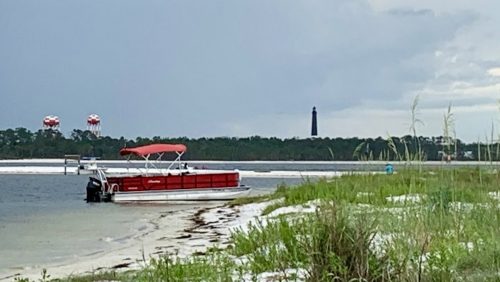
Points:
[21,143]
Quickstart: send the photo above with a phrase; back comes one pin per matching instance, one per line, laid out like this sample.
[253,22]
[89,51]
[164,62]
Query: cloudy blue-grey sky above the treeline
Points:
[244,68]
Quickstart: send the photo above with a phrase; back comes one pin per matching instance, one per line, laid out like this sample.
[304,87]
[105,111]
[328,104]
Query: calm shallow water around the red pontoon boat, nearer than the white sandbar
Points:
[44,219]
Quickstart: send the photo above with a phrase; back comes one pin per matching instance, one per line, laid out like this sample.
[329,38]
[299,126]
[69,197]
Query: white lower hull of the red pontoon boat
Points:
[203,194]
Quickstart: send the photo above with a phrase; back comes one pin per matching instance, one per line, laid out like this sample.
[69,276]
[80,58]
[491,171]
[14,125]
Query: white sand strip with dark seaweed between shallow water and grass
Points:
[195,230]
